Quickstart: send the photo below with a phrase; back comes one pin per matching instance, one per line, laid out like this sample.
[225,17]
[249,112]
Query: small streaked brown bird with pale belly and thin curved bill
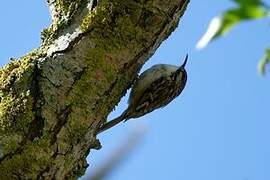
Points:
[154,88]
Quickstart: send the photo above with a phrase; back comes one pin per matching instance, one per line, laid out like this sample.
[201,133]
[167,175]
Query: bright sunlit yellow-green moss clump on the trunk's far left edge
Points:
[16,101]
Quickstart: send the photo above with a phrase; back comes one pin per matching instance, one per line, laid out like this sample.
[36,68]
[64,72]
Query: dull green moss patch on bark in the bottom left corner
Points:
[30,162]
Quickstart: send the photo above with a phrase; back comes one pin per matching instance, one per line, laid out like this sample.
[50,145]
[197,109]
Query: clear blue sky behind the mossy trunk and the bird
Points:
[217,129]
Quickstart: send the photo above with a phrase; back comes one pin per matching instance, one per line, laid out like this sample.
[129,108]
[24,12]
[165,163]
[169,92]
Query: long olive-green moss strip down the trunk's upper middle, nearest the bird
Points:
[115,35]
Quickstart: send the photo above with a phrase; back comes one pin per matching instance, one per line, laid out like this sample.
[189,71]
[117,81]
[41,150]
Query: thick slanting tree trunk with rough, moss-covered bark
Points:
[53,99]
